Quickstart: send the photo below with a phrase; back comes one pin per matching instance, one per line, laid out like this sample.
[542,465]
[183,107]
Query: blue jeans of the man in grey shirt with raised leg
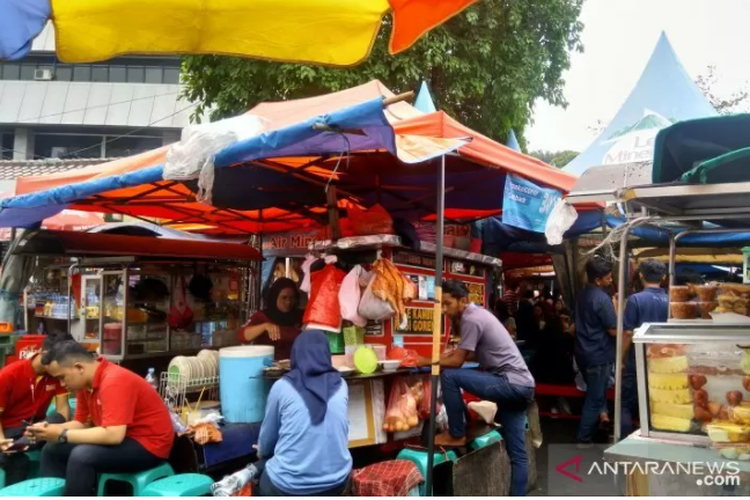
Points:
[511,400]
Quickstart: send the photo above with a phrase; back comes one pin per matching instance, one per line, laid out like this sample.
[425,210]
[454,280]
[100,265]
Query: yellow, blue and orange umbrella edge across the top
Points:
[330,32]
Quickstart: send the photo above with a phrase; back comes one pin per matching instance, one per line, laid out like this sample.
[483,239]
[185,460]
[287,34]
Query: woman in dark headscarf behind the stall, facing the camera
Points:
[279,323]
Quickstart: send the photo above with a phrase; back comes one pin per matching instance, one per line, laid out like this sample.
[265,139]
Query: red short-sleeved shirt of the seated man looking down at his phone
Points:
[120,397]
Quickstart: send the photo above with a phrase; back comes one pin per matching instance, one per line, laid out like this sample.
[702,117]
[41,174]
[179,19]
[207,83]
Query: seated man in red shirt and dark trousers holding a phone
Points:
[121,424]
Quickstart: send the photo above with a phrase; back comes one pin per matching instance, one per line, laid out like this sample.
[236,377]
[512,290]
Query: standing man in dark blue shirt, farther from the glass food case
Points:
[596,327]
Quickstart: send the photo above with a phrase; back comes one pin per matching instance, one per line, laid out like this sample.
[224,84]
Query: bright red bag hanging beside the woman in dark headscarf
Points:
[323,311]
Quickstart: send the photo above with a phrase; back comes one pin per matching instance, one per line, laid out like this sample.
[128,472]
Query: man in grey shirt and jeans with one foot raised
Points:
[505,379]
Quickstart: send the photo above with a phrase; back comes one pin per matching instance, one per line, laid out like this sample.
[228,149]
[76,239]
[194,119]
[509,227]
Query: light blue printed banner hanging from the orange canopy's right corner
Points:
[526,205]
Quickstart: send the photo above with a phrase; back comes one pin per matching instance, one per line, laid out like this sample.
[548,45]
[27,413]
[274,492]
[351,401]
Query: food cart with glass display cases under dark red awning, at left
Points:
[122,292]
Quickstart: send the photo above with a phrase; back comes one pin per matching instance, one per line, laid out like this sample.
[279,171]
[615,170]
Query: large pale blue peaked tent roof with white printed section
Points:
[664,94]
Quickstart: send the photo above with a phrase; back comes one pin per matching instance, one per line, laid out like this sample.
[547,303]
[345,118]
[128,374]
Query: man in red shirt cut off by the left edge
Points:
[26,391]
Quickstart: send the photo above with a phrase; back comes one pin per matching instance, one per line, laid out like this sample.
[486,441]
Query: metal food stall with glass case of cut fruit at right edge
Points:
[694,371]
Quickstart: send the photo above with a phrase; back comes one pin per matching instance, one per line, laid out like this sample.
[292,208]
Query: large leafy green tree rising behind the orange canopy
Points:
[485,67]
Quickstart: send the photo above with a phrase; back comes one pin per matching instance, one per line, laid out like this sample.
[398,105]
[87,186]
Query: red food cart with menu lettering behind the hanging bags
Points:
[369,393]
